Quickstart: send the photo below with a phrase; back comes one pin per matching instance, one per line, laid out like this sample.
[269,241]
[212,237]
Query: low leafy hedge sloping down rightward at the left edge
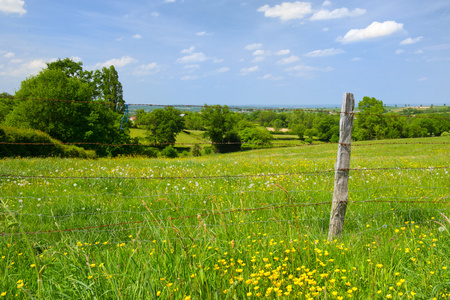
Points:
[48,146]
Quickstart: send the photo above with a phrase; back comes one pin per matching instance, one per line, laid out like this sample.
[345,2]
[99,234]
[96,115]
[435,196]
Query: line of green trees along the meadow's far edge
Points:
[95,108]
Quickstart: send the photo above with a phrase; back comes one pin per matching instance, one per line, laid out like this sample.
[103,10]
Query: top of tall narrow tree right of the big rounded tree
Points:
[110,88]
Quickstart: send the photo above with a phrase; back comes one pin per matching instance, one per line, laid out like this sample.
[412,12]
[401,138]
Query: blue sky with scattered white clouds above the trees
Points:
[239,52]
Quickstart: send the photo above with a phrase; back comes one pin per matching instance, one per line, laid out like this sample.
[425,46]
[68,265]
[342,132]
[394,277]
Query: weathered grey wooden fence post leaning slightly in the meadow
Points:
[340,195]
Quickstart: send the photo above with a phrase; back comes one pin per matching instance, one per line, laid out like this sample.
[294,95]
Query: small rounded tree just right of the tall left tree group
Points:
[163,125]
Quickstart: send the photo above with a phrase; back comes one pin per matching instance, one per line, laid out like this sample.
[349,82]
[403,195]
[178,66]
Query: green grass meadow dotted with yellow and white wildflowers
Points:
[244,225]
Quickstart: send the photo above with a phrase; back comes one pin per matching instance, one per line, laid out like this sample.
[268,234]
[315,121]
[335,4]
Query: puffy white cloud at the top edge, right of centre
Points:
[287,10]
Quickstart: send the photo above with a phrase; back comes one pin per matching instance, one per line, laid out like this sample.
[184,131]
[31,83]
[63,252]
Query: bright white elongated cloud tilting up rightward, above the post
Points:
[374,30]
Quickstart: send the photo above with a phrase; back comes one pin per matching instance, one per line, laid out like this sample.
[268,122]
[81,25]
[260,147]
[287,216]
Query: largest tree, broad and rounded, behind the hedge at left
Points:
[79,119]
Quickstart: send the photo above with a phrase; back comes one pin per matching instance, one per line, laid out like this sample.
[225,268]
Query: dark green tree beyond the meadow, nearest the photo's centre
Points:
[220,125]
